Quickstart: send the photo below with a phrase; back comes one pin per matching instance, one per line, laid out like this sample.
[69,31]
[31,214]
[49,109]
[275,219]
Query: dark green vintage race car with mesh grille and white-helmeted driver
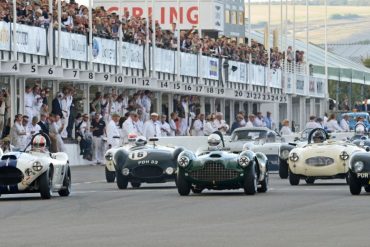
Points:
[219,169]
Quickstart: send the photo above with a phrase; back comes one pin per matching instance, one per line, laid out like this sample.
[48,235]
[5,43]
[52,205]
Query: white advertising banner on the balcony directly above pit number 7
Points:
[73,46]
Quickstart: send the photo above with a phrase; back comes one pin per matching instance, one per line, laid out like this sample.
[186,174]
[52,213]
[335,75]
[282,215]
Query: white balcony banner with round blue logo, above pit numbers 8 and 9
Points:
[104,51]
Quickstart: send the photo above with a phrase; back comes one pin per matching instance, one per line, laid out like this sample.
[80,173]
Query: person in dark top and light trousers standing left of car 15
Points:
[98,131]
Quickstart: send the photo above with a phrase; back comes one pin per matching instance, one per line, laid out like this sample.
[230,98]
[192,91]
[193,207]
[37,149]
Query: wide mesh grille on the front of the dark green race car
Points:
[213,171]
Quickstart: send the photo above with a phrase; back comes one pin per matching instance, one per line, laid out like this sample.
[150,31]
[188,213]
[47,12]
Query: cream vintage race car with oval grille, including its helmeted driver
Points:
[320,158]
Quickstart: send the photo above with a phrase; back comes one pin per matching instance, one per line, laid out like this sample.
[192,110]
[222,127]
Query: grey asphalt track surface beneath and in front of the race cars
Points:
[98,214]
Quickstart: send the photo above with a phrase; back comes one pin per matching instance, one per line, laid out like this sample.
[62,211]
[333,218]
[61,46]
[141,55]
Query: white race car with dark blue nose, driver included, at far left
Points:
[36,170]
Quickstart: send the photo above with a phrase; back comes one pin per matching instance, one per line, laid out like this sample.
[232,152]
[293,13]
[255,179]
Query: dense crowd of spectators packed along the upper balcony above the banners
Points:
[75,18]
